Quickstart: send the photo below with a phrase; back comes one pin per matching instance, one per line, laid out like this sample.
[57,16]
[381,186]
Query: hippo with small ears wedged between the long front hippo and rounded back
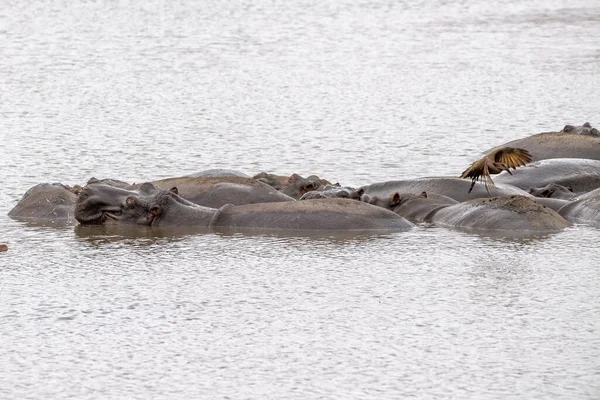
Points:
[413,207]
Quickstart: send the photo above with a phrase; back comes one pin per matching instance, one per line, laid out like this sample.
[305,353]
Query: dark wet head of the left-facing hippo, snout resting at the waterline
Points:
[99,204]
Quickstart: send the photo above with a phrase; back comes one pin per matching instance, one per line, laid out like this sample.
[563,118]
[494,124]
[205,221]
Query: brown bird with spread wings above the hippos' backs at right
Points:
[495,162]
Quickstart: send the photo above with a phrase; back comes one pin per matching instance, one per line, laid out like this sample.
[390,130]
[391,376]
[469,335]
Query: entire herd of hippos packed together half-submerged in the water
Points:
[557,182]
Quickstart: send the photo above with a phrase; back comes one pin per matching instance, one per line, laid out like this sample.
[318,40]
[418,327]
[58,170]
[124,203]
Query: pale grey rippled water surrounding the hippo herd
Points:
[354,91]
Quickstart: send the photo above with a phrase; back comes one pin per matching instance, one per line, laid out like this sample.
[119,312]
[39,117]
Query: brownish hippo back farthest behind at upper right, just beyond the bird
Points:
[570,142]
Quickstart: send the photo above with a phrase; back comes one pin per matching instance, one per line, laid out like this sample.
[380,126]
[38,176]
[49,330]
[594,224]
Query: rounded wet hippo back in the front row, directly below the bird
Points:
[517,214]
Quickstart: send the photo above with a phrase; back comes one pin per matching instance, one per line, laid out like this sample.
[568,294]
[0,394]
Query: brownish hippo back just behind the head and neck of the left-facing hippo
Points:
[216,192]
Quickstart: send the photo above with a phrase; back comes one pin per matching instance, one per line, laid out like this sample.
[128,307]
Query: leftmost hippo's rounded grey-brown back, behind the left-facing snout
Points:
[47,202]
